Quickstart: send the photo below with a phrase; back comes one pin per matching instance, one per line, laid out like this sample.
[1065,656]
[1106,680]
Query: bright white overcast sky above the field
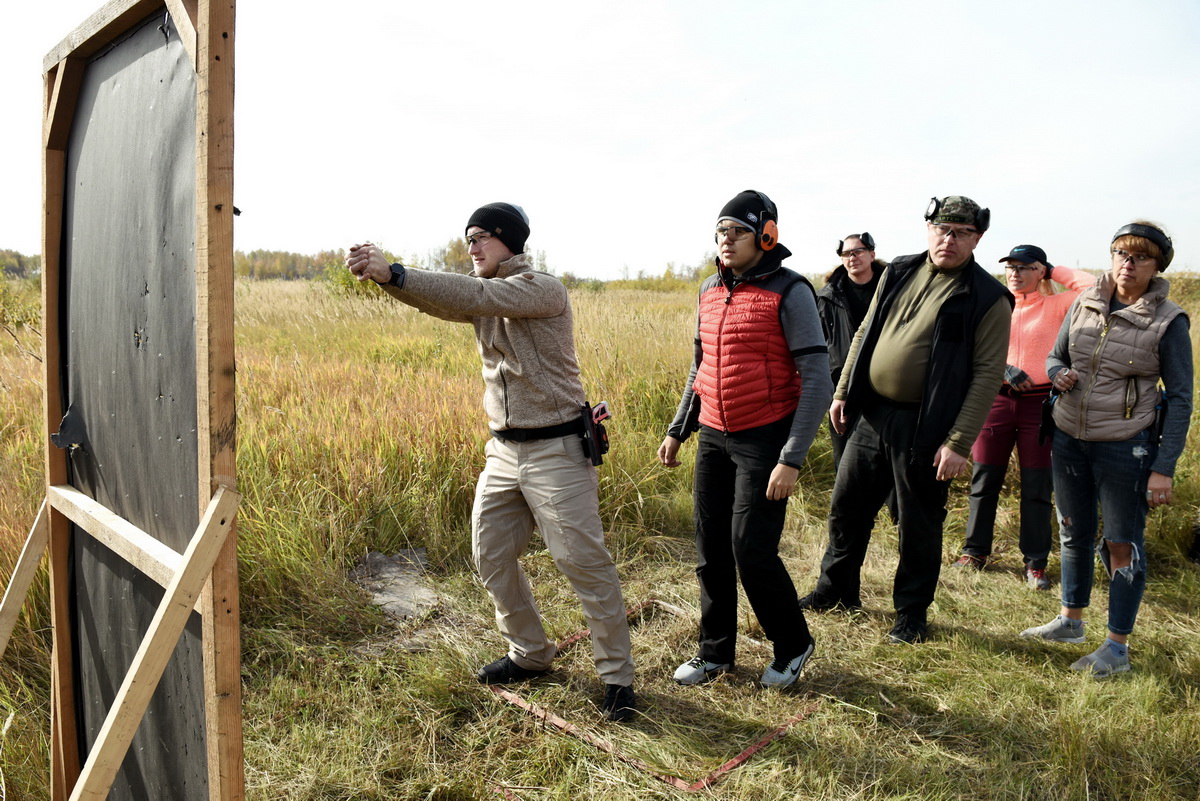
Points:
[623,128]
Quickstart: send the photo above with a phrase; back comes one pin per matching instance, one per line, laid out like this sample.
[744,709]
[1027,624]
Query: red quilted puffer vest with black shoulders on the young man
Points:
[748,376]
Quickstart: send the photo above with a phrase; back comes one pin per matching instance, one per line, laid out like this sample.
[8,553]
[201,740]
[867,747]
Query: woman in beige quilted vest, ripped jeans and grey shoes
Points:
[1117,447]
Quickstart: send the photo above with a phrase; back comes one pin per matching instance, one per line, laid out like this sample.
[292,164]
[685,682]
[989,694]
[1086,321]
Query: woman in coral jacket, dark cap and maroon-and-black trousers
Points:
[1017,414]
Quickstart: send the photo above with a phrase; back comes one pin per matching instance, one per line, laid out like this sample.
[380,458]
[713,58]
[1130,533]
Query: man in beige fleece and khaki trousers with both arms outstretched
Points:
[537,473]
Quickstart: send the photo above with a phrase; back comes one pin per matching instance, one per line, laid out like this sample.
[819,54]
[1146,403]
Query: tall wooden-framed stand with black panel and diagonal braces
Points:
[199,579]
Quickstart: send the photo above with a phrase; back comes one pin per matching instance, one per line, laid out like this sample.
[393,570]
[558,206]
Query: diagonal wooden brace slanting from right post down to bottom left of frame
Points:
[158,647]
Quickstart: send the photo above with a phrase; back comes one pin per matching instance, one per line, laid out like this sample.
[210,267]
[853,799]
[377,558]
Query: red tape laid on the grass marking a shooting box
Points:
[638,764]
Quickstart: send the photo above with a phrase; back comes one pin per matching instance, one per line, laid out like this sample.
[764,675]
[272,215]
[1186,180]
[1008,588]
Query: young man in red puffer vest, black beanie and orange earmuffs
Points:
[758,392]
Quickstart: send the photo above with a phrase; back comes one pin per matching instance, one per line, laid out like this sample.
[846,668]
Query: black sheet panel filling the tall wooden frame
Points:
[129,345]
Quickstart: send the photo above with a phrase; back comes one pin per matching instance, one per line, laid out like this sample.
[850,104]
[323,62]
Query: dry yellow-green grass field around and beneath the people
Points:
[361,429]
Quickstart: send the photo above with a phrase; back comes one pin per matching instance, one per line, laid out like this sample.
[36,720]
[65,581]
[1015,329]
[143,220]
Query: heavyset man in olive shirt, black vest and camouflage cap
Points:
[920,380]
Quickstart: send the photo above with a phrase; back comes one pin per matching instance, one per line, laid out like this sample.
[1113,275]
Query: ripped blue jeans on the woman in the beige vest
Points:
[1109,478]
